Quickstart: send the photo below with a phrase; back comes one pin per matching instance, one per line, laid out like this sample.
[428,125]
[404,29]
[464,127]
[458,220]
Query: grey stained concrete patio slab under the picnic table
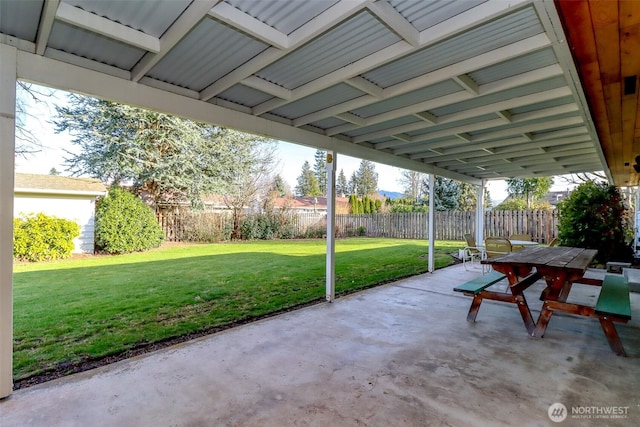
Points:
[399,355]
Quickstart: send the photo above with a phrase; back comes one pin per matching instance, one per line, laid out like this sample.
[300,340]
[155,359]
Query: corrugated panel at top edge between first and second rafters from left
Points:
[152,17]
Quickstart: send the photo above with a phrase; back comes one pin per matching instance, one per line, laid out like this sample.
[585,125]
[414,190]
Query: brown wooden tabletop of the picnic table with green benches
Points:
[562,257]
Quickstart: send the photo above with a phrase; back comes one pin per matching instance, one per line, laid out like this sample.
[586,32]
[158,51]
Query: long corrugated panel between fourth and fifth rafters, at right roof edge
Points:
[501,32]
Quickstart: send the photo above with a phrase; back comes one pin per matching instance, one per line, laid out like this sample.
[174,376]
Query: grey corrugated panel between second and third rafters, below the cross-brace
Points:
[200,58]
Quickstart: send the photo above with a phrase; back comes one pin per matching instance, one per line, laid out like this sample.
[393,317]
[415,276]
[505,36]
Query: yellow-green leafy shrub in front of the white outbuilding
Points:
[40,237]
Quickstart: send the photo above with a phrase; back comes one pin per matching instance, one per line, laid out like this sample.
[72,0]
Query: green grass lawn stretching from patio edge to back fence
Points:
[82,309]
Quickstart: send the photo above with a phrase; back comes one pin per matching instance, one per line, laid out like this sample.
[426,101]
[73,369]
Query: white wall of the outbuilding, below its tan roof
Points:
[81,210]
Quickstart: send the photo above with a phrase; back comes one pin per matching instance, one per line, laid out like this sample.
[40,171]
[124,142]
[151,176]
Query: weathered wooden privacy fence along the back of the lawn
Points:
[541,225]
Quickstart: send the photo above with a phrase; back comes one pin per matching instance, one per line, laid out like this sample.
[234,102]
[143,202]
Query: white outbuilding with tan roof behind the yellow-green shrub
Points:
[63,197]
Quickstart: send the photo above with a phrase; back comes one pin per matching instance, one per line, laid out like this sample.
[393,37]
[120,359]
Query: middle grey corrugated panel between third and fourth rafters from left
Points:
[345,44]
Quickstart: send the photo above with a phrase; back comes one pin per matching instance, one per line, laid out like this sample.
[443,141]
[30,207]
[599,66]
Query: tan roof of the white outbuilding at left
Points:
[56,184]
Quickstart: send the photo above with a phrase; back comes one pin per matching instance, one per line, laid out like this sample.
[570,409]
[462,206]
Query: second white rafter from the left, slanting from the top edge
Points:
[185,23]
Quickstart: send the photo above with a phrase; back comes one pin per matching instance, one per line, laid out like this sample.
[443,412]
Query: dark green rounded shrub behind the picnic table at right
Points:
[594,217]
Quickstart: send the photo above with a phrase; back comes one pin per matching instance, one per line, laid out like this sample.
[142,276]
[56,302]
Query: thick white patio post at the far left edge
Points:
[8,59]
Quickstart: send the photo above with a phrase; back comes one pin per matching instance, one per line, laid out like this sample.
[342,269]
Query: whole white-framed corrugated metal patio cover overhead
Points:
[469,90]
